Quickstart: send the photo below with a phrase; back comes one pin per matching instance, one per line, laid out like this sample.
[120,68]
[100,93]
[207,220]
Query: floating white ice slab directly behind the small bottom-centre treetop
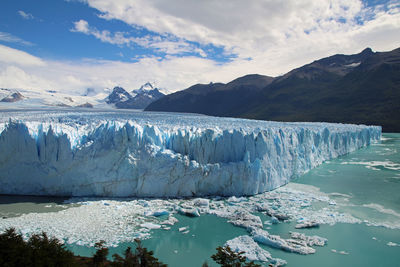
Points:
[252,251]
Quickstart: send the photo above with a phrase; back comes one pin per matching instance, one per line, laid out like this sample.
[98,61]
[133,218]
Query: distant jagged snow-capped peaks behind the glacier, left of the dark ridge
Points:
[137,99]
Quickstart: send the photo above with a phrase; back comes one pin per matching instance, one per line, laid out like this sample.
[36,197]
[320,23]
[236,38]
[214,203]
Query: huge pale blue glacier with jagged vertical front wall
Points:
[149,154]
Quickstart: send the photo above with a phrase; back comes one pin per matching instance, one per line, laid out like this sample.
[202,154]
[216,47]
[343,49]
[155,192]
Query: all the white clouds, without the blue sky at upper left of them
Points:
[269,37]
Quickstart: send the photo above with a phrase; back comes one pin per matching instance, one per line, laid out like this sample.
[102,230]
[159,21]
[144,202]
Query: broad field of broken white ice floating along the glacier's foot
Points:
[88,220]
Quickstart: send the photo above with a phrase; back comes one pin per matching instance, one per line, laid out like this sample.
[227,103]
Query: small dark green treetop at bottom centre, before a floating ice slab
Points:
[226,257]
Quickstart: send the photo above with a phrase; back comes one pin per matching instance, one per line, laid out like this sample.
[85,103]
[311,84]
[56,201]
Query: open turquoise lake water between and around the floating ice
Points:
[365,184]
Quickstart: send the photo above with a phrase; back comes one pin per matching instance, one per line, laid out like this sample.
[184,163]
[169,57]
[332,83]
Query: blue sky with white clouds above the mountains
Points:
[72,45]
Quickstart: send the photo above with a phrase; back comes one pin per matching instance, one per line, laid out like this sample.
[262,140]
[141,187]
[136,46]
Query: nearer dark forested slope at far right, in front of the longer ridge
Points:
[369,94]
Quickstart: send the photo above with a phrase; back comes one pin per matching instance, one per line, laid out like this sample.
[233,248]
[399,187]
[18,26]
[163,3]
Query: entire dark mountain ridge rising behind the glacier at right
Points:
[363,88]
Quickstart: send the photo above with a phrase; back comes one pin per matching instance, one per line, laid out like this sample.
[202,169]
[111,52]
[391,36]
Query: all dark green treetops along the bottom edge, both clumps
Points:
[40,250]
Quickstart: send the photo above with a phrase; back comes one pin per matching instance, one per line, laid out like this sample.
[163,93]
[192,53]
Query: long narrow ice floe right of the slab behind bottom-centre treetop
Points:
[291,245]
